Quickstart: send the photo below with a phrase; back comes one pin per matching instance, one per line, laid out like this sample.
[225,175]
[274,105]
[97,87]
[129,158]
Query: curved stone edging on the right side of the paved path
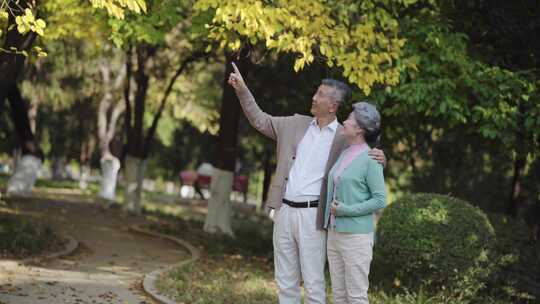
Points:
[149,281]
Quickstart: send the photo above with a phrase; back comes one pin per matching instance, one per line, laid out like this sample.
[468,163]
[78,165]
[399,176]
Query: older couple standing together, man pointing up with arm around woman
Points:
[327,185]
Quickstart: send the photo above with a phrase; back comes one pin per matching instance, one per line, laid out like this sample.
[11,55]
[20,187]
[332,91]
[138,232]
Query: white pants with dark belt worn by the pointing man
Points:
[299,253]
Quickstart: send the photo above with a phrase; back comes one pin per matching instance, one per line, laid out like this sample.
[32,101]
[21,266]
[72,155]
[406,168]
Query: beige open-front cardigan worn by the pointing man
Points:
[287,131]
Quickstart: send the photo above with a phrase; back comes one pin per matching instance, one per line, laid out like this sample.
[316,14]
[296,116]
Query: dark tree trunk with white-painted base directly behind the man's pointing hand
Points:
[219,214]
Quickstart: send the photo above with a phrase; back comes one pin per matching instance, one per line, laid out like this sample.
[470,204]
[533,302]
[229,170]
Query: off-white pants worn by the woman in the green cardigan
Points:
[349,258]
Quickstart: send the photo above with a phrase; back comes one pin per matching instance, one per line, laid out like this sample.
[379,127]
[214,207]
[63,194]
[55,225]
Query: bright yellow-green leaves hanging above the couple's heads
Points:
[362,38]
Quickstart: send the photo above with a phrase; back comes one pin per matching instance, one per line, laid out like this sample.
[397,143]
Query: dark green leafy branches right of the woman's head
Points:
[452,85]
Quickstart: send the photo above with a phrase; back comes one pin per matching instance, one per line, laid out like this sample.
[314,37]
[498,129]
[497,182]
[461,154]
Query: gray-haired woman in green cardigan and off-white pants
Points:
[355,192]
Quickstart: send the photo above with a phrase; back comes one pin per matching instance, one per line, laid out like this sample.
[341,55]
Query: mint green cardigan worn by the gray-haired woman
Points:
[360,192]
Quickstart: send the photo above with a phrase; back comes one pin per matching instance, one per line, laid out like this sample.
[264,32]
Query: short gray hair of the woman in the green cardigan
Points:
[368,118]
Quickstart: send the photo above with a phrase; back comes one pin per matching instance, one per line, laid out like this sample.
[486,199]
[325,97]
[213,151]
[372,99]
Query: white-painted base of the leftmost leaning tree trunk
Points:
[24,176]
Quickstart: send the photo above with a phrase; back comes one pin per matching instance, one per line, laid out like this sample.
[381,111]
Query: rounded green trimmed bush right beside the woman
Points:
[433,242]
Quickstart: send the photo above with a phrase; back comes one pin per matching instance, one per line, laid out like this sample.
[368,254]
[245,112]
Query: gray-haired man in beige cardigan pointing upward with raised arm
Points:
[307,148]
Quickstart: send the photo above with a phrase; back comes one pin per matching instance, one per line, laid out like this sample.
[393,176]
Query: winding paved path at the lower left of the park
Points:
[107,267]
